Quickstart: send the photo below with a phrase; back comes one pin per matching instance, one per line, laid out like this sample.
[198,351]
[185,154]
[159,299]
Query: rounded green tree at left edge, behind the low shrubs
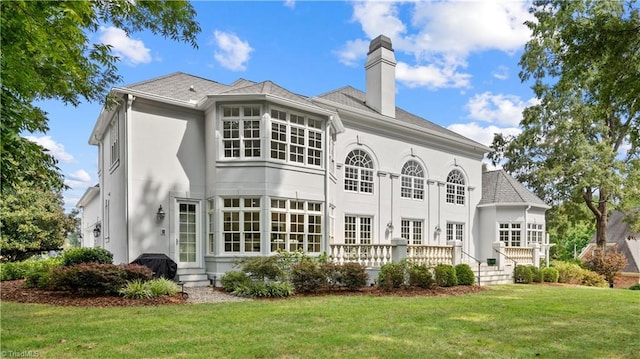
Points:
[32,220]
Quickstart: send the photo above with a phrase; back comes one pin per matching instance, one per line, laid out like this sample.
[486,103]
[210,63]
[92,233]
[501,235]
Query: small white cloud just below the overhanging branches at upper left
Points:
[130,50]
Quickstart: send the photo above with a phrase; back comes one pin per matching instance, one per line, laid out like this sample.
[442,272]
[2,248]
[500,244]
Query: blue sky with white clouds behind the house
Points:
[457,63]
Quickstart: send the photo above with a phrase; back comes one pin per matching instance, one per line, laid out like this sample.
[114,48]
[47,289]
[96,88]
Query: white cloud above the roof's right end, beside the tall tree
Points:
[497,108]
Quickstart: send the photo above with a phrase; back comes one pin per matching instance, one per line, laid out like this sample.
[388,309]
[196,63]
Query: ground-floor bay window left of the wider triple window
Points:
[241,225]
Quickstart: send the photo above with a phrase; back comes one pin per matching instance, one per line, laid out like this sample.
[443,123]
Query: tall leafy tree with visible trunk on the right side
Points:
[581,142]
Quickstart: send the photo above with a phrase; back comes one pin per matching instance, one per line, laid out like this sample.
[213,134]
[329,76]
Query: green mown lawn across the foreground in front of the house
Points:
[516,321]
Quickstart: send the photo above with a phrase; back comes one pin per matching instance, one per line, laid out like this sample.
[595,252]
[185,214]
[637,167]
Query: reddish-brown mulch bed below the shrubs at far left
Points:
[14,291]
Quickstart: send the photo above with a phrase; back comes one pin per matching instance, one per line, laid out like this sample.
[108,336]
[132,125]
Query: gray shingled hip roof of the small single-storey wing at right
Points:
[499,187]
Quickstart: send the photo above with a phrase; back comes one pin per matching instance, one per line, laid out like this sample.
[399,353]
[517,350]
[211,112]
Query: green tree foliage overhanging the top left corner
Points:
[46,53]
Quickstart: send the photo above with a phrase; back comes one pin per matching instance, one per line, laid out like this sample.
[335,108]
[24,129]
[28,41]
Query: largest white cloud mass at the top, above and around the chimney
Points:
[440,35]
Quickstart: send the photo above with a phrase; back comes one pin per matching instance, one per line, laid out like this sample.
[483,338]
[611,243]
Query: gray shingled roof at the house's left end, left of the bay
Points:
[178,86]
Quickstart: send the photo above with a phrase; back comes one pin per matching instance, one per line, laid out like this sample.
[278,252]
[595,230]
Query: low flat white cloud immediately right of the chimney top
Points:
[431,76]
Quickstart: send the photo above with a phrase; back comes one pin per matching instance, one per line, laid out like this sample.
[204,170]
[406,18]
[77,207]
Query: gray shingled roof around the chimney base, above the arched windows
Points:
[354,98]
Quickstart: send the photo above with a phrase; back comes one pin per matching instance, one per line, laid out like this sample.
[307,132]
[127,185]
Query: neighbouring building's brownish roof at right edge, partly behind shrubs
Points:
[618,232]
